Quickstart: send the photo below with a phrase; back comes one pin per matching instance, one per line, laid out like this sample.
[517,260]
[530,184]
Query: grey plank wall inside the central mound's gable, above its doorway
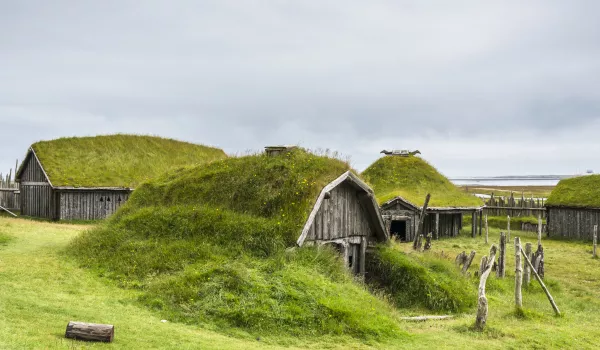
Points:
[340,216]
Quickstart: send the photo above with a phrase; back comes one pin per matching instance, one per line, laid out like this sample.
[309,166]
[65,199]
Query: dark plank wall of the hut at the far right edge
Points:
[572,222]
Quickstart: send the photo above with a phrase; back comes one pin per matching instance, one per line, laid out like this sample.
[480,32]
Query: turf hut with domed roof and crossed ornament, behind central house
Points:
[401,183]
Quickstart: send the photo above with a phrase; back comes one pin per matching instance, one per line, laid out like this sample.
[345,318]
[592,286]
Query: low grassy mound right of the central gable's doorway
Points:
[420,280]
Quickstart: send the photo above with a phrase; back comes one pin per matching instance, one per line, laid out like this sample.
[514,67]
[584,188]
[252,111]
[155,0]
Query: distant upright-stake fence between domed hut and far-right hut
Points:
[514,207]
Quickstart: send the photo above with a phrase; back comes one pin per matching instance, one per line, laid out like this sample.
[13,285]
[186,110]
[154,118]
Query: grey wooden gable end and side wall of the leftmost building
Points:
[39,198]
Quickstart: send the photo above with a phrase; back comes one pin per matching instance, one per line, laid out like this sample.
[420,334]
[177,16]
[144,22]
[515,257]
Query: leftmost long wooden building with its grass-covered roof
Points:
[89,178]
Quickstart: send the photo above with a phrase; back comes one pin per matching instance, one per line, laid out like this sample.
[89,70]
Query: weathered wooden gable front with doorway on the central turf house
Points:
[346,216]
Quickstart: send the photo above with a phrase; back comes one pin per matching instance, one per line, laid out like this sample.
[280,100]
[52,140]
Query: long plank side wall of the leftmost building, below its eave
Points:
[90,205]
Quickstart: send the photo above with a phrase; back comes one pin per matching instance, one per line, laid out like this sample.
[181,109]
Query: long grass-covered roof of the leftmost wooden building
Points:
[116,160]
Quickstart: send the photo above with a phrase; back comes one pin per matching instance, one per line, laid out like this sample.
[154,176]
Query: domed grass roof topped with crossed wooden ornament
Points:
[412,178]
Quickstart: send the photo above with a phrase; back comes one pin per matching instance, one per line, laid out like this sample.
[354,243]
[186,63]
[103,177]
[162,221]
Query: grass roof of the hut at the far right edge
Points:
[582,191]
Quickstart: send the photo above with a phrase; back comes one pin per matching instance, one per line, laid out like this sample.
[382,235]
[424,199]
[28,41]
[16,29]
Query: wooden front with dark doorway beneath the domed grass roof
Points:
[401,218]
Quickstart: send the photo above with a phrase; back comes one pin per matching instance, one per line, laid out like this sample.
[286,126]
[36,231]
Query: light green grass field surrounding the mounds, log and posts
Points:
[41,289]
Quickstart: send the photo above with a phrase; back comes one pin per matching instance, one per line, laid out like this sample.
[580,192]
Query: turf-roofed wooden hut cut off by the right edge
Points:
[573,207]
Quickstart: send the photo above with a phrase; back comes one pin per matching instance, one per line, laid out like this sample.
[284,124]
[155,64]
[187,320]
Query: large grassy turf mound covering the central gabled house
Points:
[208,245]
